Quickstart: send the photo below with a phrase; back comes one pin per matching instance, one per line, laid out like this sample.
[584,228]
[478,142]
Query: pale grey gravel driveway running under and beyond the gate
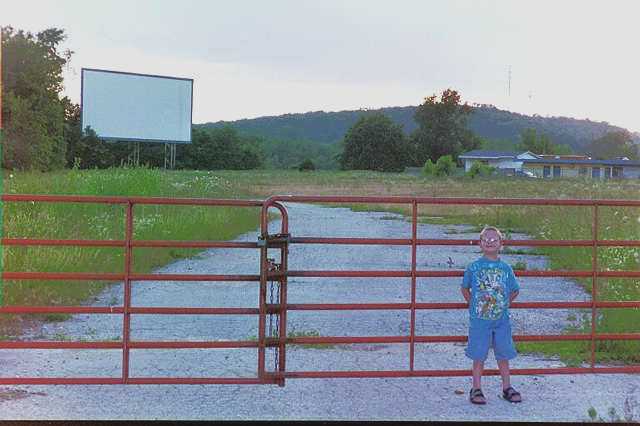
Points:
[546,398]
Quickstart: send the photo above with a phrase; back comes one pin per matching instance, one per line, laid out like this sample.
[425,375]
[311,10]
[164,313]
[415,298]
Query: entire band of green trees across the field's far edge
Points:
[42,129]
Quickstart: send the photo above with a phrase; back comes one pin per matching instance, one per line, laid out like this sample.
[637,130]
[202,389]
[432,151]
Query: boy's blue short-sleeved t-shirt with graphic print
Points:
[491,283]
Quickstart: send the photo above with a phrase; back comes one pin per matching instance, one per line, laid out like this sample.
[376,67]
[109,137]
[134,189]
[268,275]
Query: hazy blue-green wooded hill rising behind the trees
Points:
[487,121]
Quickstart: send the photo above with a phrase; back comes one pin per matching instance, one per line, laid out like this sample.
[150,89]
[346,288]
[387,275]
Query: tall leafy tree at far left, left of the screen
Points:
[33,111]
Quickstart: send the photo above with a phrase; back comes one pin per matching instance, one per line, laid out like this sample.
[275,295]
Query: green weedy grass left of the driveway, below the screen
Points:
[97,221]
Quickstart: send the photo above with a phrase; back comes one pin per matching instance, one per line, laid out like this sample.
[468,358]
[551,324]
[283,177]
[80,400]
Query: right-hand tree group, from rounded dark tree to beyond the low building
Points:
[375,142]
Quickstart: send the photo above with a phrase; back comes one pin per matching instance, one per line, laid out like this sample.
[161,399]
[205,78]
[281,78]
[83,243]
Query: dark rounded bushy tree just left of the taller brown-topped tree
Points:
[374,142]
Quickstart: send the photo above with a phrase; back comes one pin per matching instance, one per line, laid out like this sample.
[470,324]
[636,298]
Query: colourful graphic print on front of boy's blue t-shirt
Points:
[490,298]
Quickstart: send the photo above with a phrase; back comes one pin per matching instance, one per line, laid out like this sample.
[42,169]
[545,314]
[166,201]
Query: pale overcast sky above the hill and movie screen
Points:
[253,58]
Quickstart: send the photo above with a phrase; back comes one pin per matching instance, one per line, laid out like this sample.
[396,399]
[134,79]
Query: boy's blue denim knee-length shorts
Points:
[485,334]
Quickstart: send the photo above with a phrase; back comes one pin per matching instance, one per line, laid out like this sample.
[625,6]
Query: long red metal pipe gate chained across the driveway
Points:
[278,272]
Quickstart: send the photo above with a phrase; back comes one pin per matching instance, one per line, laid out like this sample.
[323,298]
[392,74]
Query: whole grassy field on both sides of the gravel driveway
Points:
[94,221]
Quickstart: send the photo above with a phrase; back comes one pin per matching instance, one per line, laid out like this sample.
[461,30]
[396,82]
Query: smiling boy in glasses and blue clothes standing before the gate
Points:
[489,286]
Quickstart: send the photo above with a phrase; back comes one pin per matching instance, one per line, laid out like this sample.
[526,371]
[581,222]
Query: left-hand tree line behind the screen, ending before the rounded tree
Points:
[42,128]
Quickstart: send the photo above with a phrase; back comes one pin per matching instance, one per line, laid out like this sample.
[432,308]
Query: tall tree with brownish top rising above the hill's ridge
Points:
[442,128]
